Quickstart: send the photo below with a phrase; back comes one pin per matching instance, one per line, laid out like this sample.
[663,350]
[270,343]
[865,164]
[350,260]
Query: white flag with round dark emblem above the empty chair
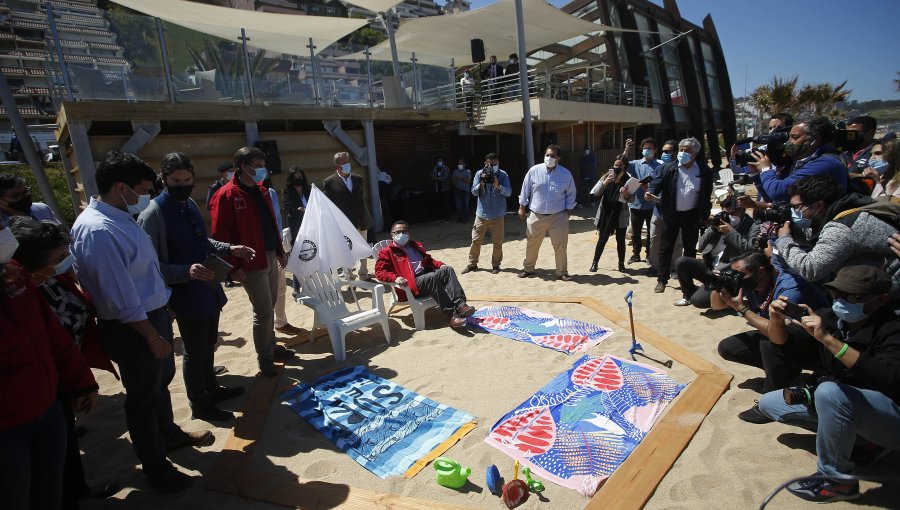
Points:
[326,239]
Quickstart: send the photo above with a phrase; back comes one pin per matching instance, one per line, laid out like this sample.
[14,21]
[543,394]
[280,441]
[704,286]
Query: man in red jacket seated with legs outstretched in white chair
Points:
[407,264]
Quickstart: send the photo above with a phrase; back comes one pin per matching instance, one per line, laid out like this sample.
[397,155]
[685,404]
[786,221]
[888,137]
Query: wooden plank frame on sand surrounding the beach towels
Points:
[629,487]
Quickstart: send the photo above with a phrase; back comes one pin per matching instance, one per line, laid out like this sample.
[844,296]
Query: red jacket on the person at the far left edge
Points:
[35,353]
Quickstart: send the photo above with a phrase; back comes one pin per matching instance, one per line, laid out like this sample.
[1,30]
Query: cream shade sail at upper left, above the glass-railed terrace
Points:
[283,33]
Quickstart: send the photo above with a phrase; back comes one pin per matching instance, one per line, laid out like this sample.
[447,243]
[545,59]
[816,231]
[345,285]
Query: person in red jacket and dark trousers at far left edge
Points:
[37,355]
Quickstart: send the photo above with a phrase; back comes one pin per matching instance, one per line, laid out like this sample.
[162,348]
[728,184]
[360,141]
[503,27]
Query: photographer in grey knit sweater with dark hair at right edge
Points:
[843,229]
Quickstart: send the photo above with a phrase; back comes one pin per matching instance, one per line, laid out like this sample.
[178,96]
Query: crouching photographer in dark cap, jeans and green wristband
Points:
[858,395]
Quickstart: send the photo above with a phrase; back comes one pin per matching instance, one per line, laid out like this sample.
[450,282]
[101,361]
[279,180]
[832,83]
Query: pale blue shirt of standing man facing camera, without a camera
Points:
[548,191]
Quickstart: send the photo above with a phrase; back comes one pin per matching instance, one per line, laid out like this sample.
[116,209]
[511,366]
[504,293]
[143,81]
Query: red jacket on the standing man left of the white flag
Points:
[236,220]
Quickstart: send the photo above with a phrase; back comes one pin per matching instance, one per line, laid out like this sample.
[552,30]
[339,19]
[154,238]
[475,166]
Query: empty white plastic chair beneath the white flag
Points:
[322,293]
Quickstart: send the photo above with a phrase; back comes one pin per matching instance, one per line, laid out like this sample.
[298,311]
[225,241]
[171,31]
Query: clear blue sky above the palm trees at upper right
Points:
[819,40]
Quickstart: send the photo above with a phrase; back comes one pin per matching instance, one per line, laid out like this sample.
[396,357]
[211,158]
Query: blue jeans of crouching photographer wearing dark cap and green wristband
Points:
[841,413]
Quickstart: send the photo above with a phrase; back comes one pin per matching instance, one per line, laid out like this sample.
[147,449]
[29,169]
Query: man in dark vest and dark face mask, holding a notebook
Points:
[178,233]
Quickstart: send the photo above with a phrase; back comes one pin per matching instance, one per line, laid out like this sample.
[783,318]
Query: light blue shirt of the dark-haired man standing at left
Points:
[117,264]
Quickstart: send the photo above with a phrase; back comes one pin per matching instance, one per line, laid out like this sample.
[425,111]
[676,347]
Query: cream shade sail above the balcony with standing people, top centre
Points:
[438,39]
